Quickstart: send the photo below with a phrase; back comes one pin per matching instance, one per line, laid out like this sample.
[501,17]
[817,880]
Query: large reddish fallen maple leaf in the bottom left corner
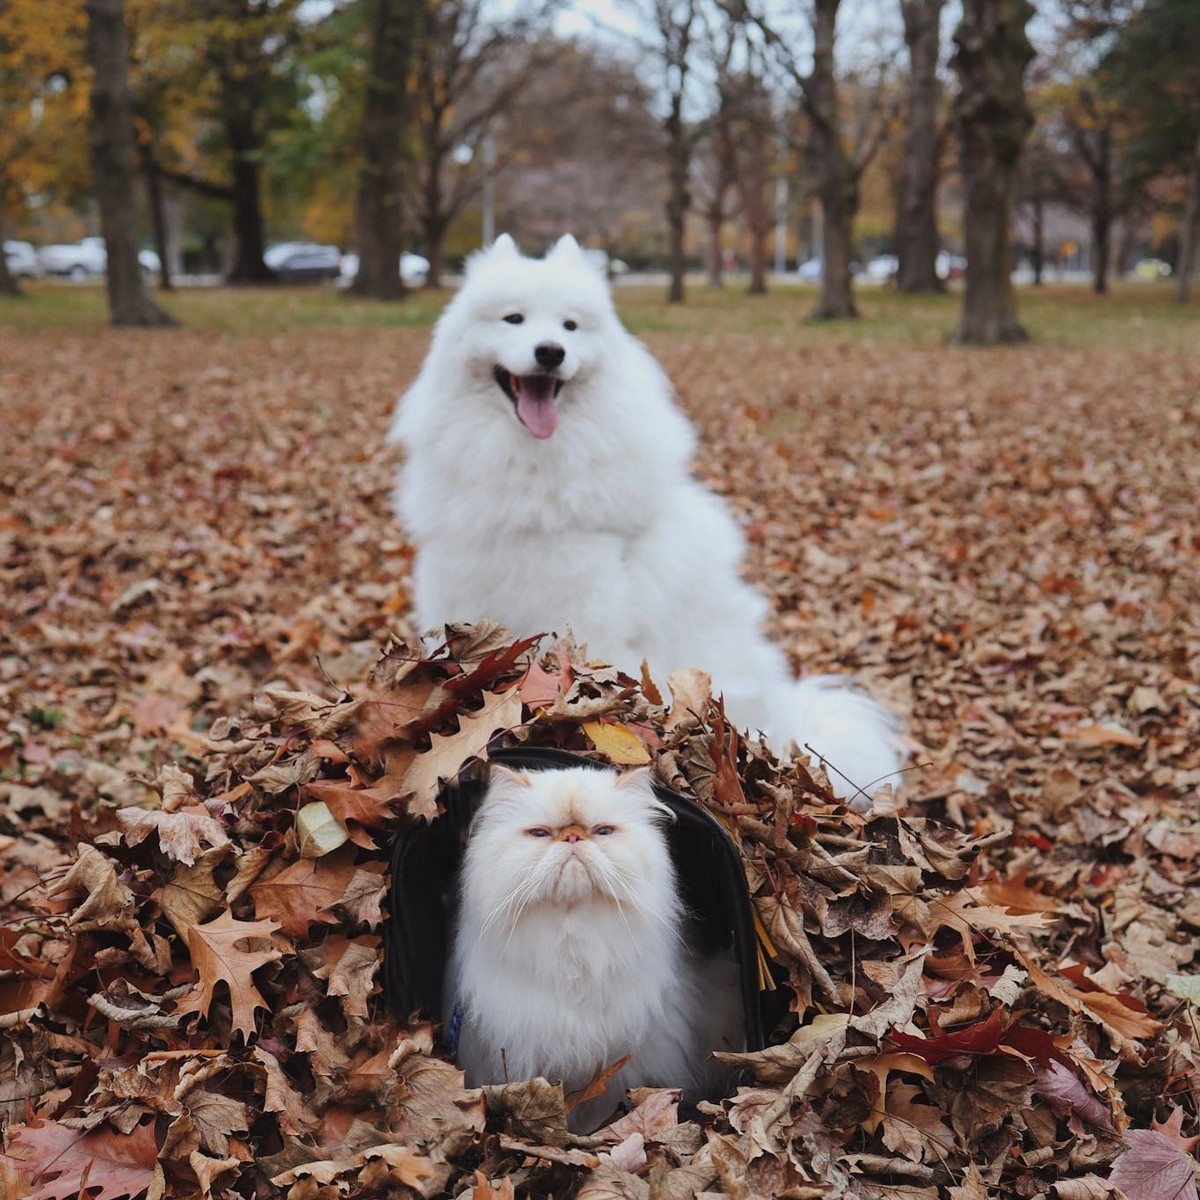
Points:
[104,1165]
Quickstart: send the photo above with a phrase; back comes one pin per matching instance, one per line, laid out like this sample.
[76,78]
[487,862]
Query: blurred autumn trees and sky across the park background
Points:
[832,137]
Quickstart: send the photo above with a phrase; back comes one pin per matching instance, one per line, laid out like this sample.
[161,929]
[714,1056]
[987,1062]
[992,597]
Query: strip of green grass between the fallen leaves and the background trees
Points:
[1136,315]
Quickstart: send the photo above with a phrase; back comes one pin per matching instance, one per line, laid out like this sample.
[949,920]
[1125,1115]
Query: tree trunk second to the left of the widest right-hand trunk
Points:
[837,184]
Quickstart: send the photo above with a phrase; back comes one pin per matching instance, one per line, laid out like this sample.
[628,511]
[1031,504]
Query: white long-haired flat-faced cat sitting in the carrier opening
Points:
[568,951]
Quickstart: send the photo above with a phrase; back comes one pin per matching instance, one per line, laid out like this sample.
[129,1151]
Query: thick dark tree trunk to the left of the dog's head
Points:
[385,121]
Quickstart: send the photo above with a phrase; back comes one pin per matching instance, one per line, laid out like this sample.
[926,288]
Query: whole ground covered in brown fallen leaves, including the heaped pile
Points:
[213,718]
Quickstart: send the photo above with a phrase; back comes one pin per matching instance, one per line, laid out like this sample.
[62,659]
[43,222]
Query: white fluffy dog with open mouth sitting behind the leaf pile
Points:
[548,487]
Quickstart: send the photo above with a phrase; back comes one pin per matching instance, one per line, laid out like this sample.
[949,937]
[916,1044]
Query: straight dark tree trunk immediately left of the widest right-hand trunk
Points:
[917,242]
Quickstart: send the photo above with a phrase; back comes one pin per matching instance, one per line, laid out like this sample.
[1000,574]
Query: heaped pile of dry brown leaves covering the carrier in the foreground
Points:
[193,1007]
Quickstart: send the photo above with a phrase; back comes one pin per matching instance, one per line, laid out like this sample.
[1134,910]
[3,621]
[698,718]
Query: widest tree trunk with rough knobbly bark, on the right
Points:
[993,119]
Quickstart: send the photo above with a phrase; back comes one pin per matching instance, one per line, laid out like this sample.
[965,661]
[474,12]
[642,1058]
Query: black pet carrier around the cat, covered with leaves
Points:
[427,857]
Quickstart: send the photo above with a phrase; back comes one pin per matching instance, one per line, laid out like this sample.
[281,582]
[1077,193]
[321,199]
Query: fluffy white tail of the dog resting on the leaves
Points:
[856,739]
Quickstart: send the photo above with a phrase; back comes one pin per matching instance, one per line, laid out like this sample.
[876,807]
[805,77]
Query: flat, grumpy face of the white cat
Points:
[568,838]
